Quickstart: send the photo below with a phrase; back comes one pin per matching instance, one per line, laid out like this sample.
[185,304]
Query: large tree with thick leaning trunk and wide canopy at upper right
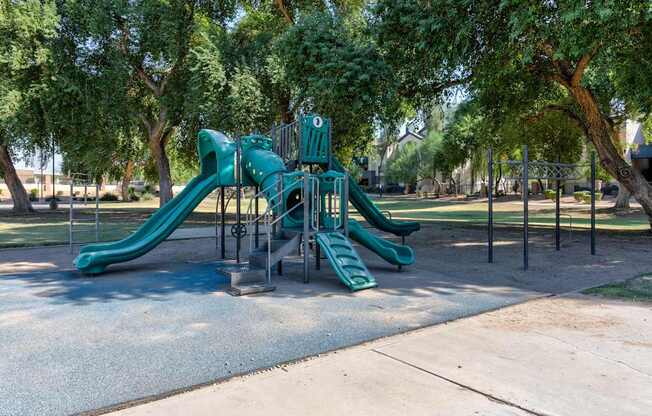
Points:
[513,54]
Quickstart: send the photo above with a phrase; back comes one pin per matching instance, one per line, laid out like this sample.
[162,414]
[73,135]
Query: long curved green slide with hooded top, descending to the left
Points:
[212,147]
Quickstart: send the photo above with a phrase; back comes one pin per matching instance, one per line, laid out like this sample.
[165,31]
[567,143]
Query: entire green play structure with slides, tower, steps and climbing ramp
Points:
[307,191]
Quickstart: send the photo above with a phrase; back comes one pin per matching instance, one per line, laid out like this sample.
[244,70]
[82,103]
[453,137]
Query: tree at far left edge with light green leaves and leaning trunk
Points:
[26,29]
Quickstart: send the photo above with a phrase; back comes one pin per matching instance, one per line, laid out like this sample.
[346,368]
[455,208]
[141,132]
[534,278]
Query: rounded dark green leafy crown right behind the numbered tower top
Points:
[336,70]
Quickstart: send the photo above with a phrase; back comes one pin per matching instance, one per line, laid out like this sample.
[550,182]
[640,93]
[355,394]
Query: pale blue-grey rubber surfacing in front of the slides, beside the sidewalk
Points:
[71,344]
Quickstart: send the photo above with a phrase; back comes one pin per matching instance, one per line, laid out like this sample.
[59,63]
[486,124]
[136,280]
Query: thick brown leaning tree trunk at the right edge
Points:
[600,133]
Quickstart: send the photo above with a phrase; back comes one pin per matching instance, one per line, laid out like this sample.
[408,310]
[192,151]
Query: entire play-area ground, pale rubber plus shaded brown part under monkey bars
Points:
[164,323]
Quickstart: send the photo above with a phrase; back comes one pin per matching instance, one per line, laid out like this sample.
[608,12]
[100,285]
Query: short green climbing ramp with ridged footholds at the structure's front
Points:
[345,261]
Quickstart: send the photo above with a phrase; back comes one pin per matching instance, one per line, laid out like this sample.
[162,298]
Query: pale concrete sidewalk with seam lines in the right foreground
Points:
[557,356]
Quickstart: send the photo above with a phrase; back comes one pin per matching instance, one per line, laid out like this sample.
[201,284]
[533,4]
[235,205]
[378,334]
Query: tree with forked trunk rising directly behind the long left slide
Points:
[150,42]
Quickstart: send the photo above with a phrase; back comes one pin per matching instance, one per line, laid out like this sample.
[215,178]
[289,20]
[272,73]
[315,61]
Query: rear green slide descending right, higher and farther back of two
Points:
[370,211]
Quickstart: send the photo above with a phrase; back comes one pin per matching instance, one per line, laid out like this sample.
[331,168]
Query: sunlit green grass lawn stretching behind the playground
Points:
[118,219]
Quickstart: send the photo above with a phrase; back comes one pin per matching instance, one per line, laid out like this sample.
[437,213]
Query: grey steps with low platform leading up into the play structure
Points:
[249,278]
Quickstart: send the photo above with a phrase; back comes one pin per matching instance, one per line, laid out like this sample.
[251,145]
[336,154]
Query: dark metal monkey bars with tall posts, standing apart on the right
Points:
[525,170]
